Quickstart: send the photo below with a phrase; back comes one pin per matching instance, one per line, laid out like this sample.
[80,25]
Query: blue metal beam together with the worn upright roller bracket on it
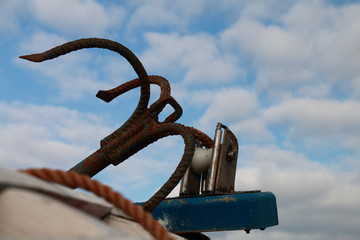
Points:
[218,207]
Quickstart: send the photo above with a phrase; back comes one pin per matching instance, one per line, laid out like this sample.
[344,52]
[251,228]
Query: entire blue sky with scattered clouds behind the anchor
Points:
[283,75]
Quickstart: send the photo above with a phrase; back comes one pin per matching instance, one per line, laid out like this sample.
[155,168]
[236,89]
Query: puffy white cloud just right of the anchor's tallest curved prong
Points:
[199,56]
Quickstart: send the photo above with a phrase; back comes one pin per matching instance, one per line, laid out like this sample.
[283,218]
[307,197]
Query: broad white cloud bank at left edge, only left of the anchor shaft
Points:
[39,136]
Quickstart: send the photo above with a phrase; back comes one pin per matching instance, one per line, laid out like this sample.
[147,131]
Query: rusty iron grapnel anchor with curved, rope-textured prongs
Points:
[143,126]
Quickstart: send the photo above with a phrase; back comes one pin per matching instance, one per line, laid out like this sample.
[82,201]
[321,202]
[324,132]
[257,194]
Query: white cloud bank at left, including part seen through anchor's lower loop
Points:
[57,137]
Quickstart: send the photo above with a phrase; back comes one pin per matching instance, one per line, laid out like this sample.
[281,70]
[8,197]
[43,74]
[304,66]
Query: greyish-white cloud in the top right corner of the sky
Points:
[332,34]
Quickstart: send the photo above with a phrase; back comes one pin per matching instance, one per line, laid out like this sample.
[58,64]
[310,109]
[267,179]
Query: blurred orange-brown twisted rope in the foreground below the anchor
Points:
[75,180]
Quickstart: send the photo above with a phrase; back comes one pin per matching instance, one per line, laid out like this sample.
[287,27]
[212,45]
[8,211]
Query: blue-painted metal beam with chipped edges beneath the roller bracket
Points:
[204,213]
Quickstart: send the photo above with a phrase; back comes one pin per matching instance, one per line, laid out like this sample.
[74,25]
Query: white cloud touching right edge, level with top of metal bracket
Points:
[318,121]
